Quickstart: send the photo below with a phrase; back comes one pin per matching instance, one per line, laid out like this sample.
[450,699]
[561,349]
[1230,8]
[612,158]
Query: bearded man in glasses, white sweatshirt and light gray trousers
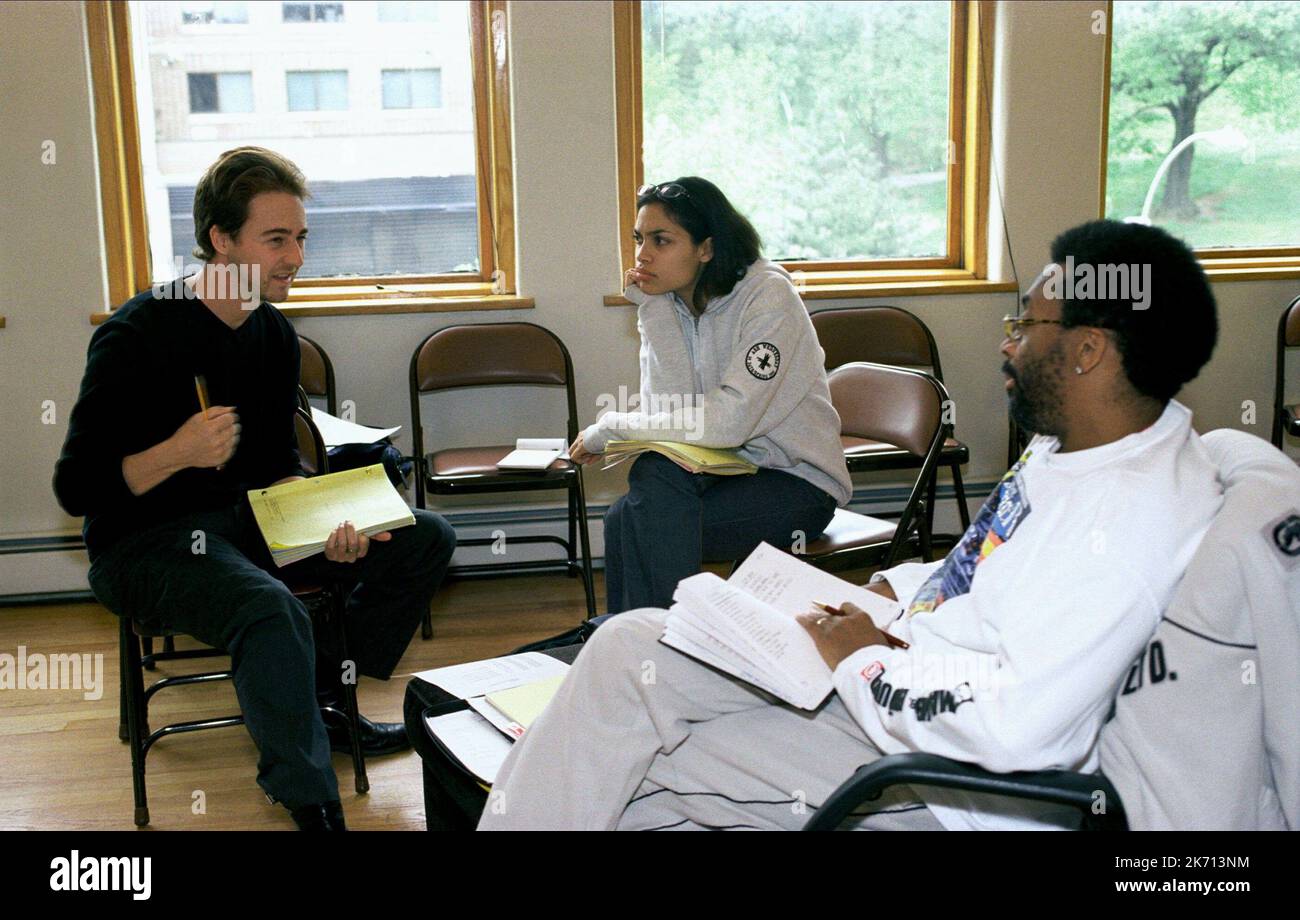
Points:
[1019,640]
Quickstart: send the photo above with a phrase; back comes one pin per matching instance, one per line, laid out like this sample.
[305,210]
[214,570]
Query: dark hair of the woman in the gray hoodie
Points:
[704,212]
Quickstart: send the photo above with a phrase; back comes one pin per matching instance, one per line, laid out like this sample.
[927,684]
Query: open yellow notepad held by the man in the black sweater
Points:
[297,518]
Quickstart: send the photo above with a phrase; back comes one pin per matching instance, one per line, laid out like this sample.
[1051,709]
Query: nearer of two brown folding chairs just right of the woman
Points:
[879,403]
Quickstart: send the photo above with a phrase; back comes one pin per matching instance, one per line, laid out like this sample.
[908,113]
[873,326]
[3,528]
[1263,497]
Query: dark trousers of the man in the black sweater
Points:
[231,597]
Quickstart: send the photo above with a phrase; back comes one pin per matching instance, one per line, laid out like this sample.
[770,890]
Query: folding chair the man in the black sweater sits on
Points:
[324,602]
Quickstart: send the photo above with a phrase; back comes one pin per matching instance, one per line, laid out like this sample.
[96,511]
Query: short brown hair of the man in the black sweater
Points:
[223,196]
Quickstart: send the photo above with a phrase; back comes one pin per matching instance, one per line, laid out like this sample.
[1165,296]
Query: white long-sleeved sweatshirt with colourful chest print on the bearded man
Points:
[1021,637]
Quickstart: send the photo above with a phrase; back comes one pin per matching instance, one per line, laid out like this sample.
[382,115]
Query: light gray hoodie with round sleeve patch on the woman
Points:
[748,374]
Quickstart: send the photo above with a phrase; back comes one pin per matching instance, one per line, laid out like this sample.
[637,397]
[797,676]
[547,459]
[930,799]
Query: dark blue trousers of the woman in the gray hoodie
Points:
[671,522]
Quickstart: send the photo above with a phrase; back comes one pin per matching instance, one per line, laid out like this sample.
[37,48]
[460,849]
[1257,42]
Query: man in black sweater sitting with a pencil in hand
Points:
[163,485]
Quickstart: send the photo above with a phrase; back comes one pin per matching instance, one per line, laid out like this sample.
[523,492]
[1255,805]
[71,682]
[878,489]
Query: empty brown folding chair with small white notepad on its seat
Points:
[500,354]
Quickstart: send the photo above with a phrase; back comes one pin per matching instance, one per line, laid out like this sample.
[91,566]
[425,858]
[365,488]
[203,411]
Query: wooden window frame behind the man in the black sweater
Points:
[123,197]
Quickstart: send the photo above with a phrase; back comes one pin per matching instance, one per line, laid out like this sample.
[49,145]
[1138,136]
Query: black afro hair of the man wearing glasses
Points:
[1167,344]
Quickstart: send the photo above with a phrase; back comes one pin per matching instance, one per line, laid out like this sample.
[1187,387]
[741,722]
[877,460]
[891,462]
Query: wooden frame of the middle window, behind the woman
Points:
[965,268]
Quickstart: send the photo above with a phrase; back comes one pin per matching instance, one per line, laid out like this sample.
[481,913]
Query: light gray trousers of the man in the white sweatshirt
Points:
[643,737]
